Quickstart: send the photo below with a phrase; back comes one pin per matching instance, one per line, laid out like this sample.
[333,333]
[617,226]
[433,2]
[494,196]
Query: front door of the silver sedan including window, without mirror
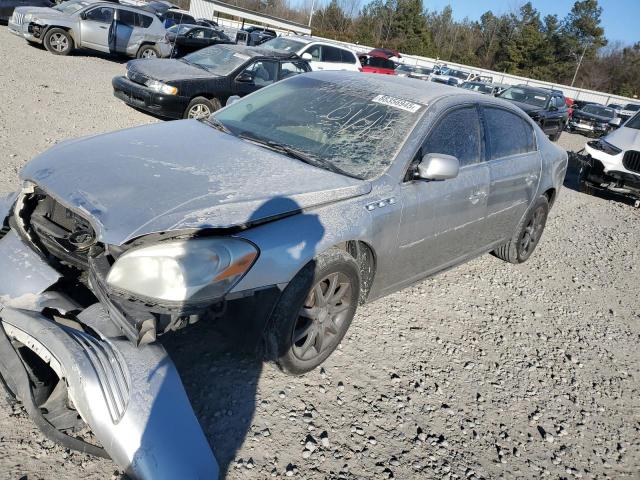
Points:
[443,221]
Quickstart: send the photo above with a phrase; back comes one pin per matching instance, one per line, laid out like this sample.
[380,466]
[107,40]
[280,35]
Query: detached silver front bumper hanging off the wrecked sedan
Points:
[131,398]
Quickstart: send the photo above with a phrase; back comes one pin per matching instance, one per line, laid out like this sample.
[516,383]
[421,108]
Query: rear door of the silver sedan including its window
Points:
[515,167]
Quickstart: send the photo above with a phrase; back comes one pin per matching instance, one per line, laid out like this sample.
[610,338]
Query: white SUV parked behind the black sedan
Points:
[321,55]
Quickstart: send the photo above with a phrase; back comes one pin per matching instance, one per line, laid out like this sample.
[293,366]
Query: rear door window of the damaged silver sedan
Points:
[507,133]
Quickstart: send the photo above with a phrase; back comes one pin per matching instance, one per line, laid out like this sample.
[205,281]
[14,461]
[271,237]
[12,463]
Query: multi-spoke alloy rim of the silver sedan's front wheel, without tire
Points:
[321,317]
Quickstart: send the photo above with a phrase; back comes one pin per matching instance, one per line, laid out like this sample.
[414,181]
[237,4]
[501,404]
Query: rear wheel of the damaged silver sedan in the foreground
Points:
[527,234]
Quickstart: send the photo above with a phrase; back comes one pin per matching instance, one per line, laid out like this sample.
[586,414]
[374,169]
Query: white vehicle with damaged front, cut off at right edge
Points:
[613,162]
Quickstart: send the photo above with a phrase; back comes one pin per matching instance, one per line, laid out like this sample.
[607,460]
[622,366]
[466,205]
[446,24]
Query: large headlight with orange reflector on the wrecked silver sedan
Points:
[193,270]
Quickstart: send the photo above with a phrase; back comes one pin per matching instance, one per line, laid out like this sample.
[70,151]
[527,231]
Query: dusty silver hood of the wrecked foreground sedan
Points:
[180,175]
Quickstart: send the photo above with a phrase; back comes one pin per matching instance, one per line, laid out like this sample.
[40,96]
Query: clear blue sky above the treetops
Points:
[619,17]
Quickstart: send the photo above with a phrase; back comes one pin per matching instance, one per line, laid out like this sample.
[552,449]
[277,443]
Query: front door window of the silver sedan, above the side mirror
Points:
[457,134]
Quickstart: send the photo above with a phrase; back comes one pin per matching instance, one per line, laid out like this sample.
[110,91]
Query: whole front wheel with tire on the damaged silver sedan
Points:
[302,334]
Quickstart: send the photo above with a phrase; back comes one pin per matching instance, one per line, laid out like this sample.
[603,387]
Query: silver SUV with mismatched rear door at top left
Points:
[96,25]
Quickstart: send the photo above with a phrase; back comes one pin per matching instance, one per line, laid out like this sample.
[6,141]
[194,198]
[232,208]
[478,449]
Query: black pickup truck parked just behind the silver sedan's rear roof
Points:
[545,106]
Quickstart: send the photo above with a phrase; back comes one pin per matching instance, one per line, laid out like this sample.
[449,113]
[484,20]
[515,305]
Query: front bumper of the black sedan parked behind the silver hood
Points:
[143,98]
